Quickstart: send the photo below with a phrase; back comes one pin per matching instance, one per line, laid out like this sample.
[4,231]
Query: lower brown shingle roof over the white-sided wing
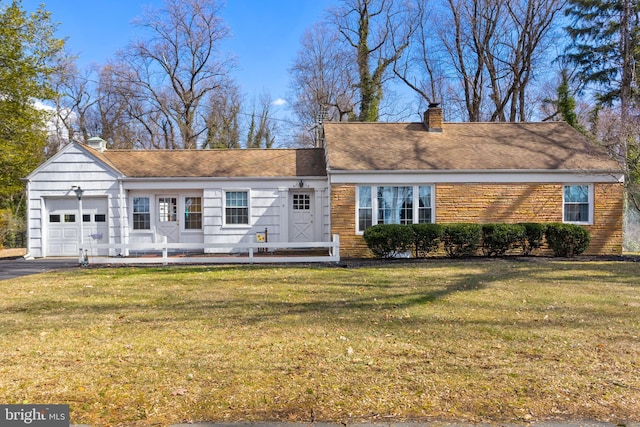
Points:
[215,163]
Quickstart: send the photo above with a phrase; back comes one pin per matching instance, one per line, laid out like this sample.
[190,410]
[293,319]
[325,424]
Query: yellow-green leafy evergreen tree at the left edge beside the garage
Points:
[28,53]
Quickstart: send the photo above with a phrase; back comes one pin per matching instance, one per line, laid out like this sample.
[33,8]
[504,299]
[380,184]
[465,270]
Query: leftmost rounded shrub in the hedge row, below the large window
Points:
[389,240]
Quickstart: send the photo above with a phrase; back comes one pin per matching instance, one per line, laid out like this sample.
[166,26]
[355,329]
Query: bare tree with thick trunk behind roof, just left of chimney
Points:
[379,31]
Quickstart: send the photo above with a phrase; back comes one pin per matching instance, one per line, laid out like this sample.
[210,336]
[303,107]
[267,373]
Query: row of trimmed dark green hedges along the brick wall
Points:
[464,239]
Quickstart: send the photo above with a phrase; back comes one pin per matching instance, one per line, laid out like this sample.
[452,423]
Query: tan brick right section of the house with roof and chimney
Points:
[470,172]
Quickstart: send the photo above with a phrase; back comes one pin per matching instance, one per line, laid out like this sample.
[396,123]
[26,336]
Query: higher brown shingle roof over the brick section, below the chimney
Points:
[462,147]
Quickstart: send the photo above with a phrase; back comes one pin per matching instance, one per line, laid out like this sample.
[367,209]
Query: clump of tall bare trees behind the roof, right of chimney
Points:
[487,51]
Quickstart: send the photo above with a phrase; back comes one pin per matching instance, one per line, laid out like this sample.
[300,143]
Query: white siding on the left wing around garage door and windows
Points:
[73,166]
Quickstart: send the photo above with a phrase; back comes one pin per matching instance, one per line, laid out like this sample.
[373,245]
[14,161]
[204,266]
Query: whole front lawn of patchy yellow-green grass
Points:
[475,341]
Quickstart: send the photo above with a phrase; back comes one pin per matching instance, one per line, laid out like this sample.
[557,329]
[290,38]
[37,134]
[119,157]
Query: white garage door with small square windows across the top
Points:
[63,225]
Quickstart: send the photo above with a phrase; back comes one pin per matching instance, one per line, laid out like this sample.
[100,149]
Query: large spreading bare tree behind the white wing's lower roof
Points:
[177,68]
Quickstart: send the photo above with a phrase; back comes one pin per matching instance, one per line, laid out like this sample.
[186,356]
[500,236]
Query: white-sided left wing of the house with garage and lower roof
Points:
[187,196]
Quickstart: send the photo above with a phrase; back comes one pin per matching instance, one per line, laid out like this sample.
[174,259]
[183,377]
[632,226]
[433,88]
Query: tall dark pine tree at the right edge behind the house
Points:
[606,50]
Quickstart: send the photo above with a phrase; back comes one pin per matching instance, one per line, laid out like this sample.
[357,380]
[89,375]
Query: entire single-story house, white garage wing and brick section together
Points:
[366,173]
